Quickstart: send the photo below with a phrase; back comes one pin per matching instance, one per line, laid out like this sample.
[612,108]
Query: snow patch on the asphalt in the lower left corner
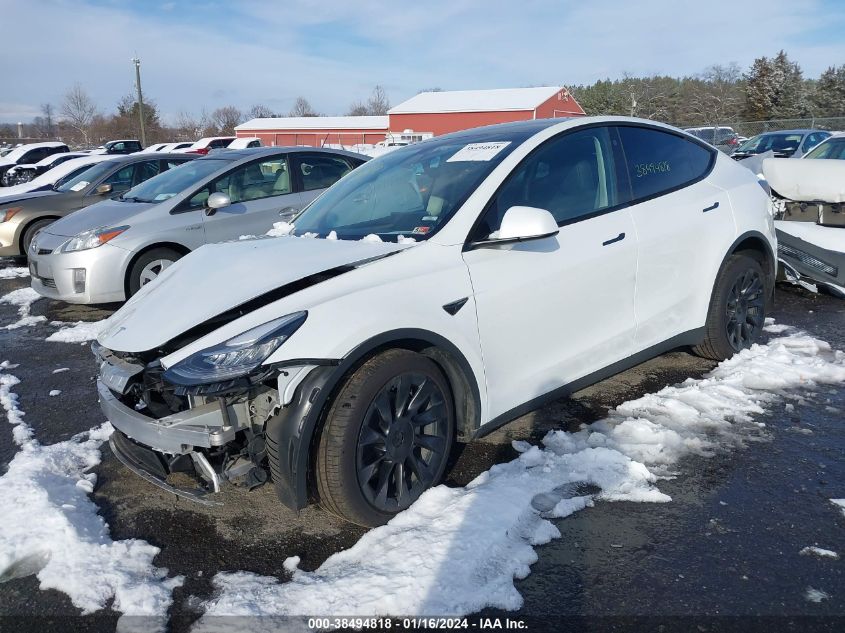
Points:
[52,529]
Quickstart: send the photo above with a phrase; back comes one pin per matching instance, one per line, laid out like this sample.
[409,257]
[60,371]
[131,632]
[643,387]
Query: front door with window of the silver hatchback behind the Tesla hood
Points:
[261,193]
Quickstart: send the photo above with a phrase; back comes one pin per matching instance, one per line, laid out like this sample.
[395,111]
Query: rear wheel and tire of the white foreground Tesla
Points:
[737,310]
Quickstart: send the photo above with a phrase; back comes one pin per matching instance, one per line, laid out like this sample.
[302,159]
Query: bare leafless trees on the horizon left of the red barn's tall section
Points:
[79,121]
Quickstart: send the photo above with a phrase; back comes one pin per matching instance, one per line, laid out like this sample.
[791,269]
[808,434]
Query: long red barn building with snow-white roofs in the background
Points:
[428,113]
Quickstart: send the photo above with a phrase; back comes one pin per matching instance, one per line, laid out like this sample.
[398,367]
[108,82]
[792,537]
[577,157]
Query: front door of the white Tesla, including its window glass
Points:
[556,309]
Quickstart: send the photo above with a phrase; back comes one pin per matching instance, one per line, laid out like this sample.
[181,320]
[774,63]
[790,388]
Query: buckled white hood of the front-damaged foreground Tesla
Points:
[217,278]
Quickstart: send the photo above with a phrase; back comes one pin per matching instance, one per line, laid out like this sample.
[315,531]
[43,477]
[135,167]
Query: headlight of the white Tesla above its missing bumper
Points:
[236,357]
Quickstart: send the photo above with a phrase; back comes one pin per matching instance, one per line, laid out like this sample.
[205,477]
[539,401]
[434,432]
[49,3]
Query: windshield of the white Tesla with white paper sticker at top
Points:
[412,191]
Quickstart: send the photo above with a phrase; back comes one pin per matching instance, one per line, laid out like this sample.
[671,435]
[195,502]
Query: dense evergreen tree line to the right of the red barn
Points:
[771,88]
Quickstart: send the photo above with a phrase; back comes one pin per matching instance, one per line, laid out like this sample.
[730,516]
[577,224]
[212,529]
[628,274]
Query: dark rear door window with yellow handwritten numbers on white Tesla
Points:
[659,162]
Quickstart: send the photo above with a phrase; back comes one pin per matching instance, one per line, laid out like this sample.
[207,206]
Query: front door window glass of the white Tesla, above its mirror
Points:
[572,176]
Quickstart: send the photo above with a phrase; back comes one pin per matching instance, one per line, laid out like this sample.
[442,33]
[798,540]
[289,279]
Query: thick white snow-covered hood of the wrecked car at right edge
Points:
[806,180]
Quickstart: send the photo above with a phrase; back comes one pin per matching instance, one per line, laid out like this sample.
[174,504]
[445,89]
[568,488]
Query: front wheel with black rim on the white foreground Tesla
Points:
[386,438]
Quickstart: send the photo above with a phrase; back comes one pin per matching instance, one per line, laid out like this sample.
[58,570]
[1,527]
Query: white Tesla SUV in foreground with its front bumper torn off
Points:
[428,297]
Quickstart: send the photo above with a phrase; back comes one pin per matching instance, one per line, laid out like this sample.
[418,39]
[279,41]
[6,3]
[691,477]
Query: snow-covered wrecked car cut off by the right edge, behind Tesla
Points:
[810,218]
